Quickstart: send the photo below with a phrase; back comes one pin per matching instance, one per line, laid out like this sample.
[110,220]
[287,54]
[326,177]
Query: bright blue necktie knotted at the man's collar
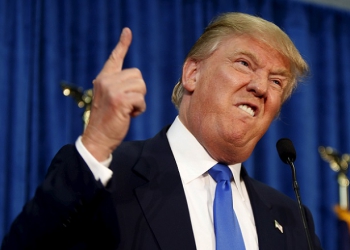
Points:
[227,231]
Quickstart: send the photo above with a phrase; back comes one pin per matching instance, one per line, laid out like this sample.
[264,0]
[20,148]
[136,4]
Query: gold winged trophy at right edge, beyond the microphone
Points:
[339,164]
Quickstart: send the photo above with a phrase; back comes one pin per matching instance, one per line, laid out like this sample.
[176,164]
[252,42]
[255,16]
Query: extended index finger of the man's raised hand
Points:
[116,59]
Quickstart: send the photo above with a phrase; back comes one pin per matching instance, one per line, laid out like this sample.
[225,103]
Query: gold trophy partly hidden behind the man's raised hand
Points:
[82,98]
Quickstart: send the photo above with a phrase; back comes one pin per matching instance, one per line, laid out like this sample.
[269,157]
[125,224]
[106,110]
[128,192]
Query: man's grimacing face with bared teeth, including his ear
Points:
[232,97]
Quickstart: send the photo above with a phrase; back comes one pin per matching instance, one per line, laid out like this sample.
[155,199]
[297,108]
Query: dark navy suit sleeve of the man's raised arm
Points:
[62,209]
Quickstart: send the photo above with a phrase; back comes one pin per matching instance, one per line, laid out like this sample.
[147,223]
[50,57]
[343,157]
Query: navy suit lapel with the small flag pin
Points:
[268,223]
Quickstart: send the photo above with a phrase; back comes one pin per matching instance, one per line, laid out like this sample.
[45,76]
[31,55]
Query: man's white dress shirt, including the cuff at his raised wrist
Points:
[193,162]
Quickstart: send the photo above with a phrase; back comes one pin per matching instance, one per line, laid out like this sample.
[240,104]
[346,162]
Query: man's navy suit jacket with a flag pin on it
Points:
[142,207]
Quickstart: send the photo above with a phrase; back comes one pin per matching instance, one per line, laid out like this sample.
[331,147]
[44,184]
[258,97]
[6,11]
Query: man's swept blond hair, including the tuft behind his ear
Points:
[228,24]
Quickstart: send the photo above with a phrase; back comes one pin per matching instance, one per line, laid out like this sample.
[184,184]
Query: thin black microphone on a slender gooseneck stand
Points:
[286,151]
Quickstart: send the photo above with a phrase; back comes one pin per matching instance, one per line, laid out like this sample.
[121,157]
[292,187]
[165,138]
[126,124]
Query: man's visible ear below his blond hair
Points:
[190,74]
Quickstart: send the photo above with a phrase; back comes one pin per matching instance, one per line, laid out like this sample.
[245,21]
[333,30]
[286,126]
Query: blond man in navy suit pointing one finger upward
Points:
[157,194]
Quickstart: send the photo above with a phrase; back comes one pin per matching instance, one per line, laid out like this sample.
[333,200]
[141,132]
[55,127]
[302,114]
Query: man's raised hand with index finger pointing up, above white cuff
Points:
[118,96]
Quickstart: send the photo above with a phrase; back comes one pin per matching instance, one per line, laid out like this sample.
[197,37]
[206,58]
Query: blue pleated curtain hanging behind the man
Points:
[45,43]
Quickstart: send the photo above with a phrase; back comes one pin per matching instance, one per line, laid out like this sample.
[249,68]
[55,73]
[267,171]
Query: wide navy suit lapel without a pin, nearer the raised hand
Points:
[162,198]
